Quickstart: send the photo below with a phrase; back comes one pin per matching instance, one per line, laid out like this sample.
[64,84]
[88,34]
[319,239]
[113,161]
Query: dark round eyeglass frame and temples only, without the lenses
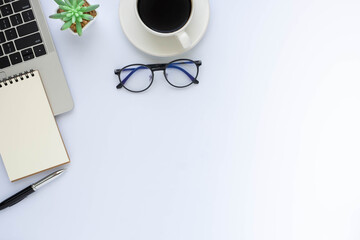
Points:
[158,67]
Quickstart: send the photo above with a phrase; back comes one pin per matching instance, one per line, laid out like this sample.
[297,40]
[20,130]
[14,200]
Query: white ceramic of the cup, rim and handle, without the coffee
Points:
[181,34]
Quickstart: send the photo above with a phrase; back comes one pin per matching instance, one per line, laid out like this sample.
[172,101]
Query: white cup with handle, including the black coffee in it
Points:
[166,18]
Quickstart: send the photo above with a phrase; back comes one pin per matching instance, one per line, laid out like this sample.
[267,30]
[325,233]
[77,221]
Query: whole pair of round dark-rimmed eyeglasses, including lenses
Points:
[139,77]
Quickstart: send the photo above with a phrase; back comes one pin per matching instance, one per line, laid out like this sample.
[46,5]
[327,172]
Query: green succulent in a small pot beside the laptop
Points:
[76,14]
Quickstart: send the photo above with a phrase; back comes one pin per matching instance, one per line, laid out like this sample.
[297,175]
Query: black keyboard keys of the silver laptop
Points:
[20,39]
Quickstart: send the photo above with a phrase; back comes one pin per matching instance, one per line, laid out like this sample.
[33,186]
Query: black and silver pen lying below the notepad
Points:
[29,190]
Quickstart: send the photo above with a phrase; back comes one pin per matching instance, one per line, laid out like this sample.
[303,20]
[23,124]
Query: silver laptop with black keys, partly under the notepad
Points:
[25,43]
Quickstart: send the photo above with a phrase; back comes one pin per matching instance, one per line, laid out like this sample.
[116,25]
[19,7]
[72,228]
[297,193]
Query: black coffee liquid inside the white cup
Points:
[164,16]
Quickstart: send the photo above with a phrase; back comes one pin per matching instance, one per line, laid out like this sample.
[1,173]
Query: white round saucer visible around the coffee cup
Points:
[162,46]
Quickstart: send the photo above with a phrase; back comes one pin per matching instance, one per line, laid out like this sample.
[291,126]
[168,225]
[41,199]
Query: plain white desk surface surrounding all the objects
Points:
[266,147]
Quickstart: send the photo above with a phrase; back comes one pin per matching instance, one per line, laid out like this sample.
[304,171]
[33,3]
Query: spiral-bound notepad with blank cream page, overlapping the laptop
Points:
[30,141]
